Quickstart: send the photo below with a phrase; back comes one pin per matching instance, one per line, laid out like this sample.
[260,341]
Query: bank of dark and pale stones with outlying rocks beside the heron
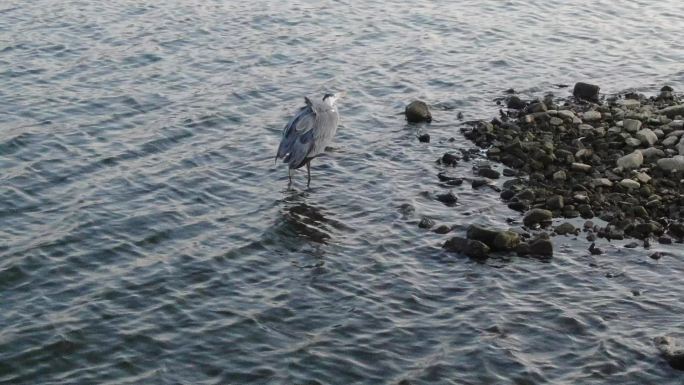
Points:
[617,158]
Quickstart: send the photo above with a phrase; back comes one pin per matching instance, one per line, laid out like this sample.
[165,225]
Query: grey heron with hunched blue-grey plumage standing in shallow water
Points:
[307,134]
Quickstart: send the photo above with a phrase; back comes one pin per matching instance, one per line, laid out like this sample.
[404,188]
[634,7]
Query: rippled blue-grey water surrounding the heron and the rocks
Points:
[146,236]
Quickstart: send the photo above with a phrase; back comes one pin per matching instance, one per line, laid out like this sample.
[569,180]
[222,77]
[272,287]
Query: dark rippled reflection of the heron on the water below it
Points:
[304,220]
